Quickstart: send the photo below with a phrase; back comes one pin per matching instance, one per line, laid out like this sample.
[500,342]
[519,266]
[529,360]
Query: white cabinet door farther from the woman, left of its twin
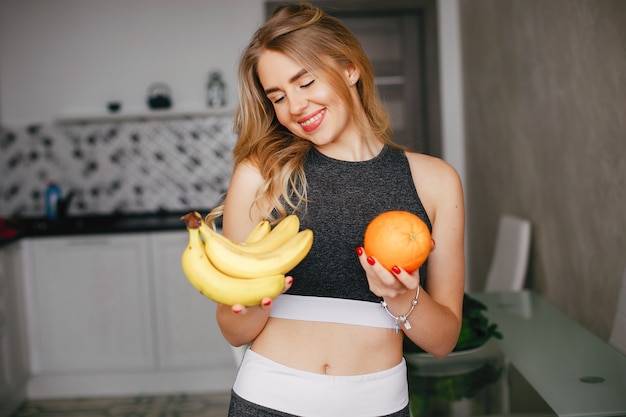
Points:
[91,304]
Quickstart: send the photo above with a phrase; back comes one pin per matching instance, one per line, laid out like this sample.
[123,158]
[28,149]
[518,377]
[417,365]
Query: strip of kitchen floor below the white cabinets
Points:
[179,405]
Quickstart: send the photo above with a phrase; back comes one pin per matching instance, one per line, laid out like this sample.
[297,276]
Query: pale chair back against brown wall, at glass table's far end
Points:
[510,257]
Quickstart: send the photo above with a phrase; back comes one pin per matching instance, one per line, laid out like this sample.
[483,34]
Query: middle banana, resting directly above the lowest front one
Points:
[238,262]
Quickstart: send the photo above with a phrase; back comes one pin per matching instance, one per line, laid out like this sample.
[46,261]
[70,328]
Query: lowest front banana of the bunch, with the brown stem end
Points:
[220,287]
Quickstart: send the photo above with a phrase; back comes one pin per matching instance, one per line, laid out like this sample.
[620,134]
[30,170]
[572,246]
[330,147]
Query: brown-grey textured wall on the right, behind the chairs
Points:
[545,83]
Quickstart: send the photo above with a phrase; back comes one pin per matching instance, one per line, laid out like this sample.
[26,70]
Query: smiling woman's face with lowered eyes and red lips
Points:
[307,106]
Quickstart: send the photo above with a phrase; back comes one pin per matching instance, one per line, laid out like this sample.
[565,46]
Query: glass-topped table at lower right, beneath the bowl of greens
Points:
[546,364]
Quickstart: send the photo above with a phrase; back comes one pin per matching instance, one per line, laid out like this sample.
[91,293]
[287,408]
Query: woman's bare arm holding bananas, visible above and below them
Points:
[239,324]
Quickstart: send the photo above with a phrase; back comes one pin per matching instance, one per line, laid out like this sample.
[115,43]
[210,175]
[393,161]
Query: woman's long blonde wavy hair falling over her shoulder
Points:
[323,46]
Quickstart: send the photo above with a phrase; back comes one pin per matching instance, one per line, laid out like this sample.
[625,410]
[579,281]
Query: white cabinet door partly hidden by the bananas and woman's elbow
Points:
[187,330]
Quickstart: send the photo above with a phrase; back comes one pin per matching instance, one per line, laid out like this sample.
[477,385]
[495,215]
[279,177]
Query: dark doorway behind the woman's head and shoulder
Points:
[400,38]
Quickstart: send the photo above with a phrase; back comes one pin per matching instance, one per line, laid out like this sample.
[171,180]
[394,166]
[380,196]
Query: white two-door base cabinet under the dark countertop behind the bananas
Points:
[114,315]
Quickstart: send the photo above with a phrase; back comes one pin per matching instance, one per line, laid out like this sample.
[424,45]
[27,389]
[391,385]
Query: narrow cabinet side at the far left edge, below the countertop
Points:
[13,358]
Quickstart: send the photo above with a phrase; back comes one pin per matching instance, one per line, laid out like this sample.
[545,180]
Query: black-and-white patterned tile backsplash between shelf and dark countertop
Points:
[132,166]
